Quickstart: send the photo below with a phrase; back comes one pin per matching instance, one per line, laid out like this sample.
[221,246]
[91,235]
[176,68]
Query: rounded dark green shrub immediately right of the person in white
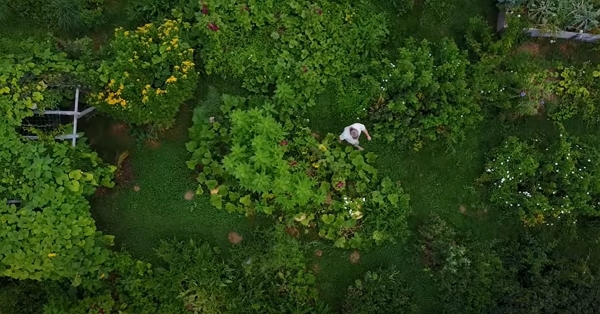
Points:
[425,95]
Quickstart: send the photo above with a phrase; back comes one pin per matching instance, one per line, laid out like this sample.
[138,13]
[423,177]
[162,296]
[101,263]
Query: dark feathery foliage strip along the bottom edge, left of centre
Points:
[267,275]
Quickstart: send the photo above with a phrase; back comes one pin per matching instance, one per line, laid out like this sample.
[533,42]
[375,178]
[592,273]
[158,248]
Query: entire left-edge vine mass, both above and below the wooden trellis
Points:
[47,230]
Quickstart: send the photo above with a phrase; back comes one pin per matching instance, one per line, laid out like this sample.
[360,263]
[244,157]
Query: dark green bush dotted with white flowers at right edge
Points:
[543,185]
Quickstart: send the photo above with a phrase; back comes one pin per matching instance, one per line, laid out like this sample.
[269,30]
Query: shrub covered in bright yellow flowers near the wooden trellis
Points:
[150,75]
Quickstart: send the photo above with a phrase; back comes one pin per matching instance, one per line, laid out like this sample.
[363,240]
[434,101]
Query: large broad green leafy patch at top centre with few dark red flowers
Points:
[294,45]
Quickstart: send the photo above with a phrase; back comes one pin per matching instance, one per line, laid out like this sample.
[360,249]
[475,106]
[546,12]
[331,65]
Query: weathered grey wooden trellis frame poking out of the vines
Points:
[43,119]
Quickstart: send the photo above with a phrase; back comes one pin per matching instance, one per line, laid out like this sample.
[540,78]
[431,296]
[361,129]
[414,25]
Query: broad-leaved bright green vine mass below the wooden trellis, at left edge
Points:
[50,233]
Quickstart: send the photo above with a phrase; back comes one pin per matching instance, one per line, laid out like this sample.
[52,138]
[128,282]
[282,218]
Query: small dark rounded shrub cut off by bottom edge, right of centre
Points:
[382,291]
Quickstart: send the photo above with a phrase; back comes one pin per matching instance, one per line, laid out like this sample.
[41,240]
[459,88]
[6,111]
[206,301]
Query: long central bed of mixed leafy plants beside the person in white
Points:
[251,163]
